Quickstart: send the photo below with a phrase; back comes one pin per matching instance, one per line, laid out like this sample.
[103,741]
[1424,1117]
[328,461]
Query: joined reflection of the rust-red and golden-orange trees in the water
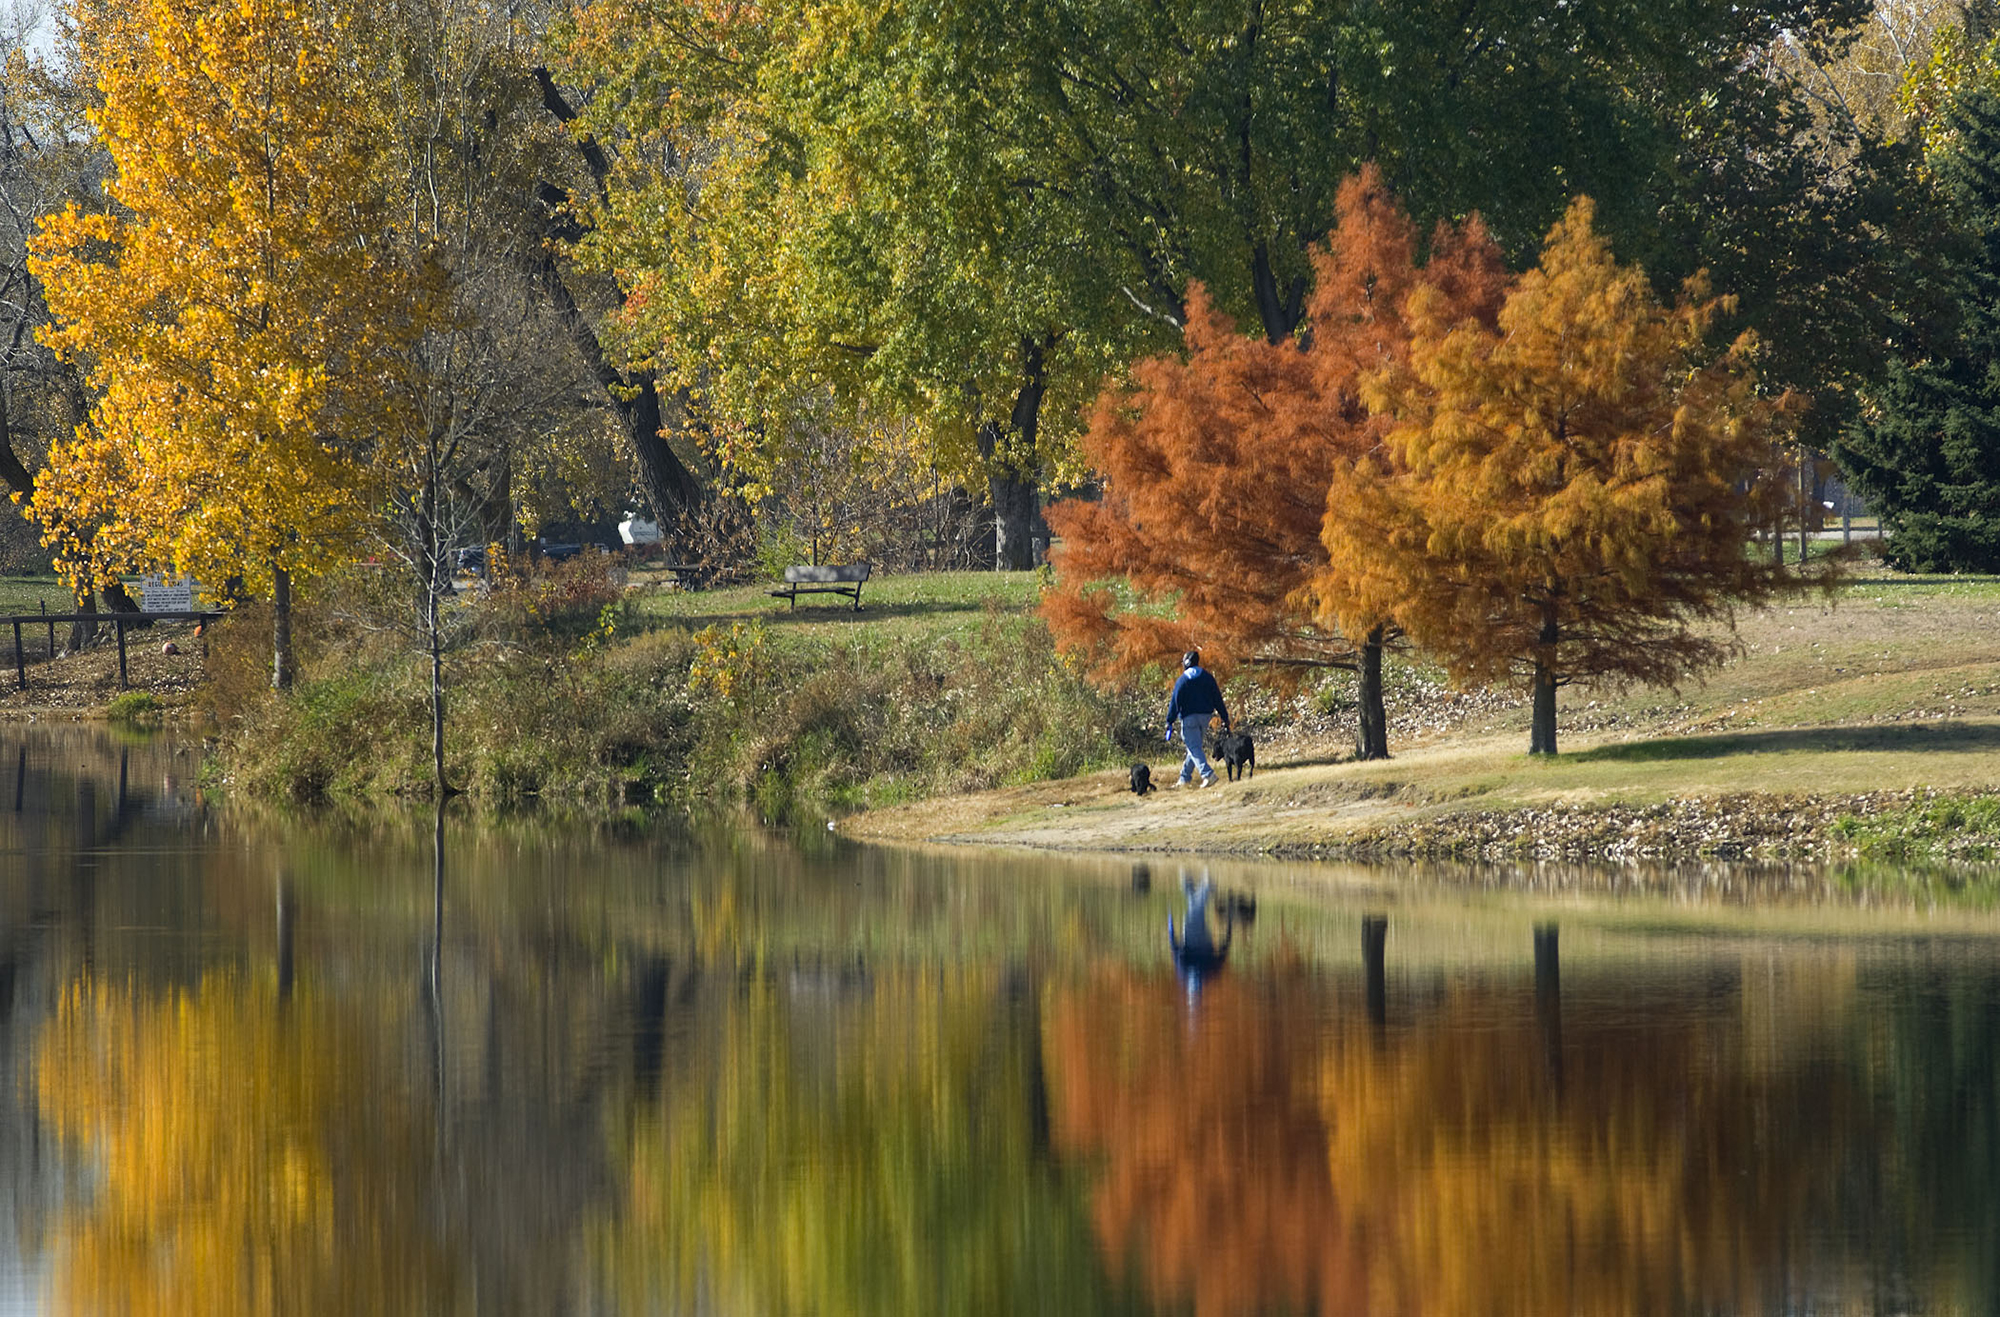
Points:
[1275,1152]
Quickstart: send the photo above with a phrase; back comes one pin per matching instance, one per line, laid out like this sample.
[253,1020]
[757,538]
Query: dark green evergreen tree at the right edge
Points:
[1927,455]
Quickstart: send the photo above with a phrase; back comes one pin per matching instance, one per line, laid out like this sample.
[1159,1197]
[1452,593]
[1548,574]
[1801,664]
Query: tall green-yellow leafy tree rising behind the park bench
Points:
[807,201]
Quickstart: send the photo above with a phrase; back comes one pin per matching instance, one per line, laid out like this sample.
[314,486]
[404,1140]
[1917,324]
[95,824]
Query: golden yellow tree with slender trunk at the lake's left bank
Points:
[237,311]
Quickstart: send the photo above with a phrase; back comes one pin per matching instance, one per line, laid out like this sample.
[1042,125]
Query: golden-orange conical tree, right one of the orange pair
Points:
[1567,495]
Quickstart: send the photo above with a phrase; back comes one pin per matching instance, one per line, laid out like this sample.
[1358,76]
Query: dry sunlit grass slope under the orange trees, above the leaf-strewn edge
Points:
[1885,688]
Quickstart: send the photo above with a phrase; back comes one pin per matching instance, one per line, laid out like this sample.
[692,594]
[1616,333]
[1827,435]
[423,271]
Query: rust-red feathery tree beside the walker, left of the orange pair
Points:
[1217,467]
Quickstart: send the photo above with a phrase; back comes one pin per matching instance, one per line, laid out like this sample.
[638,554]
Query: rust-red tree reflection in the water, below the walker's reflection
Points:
[1209,1138]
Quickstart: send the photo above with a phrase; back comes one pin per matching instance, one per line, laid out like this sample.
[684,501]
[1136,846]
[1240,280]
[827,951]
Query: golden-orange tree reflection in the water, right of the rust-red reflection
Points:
[1637,1180]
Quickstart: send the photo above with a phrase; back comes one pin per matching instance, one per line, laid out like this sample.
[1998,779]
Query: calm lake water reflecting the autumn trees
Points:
[271,1066]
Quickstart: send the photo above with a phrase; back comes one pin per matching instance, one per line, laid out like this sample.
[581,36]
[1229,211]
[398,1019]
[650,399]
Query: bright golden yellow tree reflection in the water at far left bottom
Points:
[245,1158]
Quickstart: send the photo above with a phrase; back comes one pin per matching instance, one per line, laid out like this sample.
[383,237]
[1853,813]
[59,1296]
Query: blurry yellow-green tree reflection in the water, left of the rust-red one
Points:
[849,1142]
